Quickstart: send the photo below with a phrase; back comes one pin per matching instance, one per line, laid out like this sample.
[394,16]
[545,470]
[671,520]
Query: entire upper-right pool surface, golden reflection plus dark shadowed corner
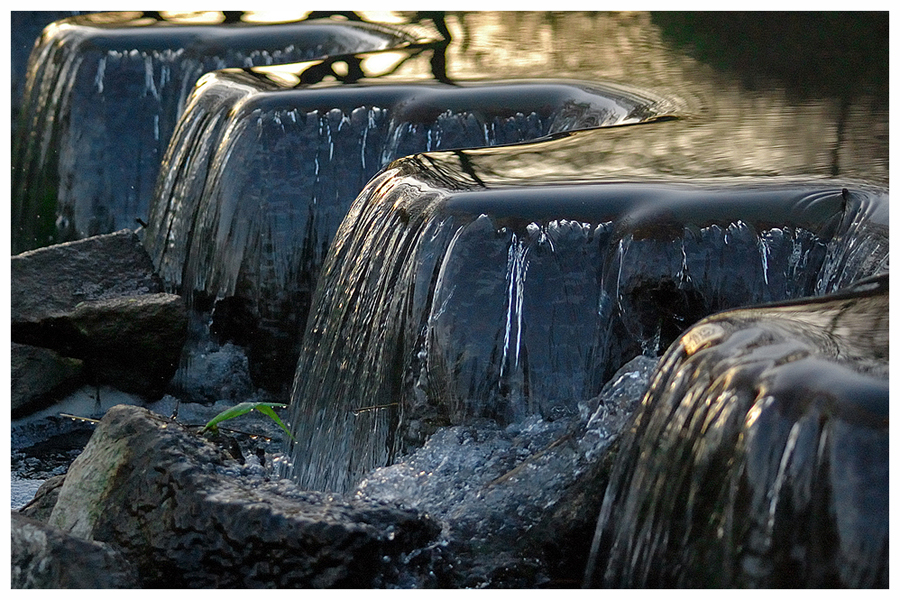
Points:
[807,109]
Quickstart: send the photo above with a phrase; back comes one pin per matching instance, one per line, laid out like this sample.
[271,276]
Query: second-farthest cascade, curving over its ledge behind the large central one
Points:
[264,167]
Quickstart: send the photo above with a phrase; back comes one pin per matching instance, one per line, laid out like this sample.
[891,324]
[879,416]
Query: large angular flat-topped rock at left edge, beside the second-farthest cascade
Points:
[99,300]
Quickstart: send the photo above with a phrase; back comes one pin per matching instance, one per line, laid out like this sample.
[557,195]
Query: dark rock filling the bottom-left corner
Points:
[46,558]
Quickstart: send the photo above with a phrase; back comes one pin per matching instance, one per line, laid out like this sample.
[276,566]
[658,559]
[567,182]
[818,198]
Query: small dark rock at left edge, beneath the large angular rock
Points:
[39,376]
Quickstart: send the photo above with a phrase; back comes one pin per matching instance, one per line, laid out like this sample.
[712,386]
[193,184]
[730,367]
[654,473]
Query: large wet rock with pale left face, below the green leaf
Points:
[171,502]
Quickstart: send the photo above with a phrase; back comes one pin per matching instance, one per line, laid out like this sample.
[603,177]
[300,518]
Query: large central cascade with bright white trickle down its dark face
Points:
[446,298]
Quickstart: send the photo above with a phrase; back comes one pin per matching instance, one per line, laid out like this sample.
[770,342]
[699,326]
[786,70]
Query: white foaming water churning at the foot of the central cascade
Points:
[500,490]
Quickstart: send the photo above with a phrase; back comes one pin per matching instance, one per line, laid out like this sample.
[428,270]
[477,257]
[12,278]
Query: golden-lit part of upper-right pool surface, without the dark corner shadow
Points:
[730,131]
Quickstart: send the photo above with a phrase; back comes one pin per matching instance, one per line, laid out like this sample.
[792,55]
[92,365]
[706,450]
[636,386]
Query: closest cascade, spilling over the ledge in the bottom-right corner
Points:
[759,456]
